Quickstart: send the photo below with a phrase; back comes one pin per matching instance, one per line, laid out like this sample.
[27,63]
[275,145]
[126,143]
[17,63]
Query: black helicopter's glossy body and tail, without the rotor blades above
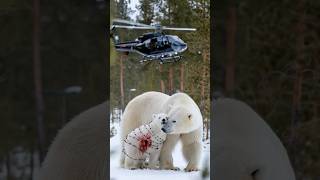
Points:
[154,45]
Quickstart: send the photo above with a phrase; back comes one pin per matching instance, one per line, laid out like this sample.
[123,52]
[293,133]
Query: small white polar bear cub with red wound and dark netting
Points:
[145,142]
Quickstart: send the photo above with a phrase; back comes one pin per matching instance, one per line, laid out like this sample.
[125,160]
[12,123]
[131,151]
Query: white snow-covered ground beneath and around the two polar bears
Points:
[117,173]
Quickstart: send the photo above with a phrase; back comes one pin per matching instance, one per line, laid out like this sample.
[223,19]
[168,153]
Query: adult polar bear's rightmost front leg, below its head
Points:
[192,148]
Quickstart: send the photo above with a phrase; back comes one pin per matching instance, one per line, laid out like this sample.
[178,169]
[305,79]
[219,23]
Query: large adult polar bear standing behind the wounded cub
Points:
[188,127]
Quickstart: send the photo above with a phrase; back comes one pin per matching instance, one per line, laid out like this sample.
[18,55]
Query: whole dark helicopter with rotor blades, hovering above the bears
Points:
[153,46]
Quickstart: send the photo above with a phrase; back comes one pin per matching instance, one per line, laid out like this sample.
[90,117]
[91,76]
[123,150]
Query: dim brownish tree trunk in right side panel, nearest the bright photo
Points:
[231,45]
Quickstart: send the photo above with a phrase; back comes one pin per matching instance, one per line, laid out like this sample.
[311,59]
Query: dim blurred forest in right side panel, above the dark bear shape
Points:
[266,53]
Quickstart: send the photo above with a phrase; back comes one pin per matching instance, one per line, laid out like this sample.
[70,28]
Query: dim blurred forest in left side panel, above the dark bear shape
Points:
[72,53]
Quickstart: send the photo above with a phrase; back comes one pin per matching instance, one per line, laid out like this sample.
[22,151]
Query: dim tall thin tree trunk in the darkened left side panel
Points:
[38,79]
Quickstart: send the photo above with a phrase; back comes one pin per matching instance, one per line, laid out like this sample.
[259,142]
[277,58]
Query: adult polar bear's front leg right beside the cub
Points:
[166,161]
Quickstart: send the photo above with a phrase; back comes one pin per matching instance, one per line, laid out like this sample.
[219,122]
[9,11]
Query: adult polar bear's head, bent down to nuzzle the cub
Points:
[182,120]
